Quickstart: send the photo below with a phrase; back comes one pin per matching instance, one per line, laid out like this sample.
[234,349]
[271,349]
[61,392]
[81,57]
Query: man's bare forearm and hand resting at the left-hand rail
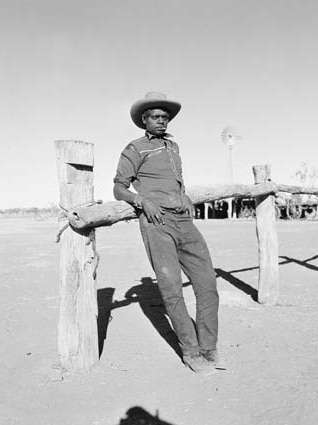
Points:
[152,211]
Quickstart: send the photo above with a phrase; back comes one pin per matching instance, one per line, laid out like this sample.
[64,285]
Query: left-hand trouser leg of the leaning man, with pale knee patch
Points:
[161,248]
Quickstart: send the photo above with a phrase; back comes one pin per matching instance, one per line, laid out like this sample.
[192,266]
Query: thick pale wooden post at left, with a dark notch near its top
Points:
[77,330]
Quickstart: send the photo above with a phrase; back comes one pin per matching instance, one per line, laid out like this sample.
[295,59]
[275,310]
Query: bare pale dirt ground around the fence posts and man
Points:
[269,353]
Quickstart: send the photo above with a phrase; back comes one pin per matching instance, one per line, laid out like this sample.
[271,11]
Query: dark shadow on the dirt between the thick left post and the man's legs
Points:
[148,296]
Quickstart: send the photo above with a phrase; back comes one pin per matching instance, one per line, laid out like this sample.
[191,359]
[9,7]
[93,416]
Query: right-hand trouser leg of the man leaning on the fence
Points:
[196,263]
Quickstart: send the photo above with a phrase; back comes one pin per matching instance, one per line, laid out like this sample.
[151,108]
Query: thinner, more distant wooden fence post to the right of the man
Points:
[268,284]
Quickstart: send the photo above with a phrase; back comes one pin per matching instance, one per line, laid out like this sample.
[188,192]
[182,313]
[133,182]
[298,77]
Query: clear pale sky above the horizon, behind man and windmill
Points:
[71,69]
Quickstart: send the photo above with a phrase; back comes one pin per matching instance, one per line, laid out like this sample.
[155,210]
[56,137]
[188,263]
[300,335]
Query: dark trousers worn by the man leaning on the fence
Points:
[178,245]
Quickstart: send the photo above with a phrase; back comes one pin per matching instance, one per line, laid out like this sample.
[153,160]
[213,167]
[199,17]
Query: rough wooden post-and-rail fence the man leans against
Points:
[77,332]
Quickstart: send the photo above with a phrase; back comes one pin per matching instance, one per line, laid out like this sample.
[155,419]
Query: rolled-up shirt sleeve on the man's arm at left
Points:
[128,166]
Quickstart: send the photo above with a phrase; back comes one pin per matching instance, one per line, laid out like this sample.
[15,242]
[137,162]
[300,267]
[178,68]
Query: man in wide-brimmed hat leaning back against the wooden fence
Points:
[153,166]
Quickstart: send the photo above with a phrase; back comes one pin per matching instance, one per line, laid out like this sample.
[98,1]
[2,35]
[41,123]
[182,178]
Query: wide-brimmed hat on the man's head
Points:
[153,100]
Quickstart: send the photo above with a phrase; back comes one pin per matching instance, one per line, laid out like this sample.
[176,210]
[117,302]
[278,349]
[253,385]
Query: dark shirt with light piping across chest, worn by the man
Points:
[153,166]
